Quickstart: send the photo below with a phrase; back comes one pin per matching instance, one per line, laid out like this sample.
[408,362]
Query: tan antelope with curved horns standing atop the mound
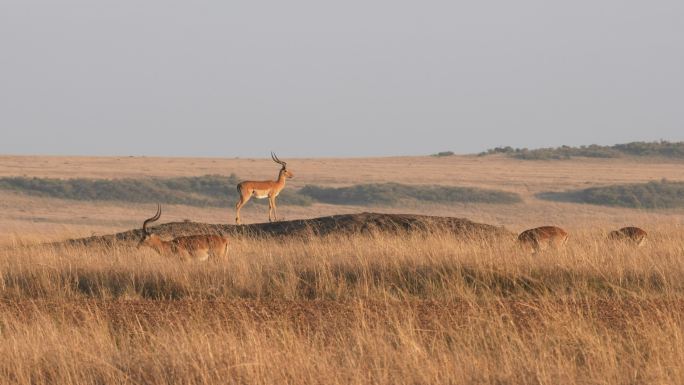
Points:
[263,189]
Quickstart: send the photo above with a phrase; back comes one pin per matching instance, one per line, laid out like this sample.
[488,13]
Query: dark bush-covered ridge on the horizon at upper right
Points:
[650,149]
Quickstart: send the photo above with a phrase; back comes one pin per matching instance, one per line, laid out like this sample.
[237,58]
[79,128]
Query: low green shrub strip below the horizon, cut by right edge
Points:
[651,195]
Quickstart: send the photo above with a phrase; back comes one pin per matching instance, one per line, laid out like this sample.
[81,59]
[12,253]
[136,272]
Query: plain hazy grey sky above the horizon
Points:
[336,78]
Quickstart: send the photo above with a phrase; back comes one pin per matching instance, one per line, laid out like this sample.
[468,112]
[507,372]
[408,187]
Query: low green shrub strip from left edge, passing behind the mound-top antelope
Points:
[207,190]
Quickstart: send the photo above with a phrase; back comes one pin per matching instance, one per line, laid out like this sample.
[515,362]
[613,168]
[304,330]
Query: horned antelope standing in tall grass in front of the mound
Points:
[192,247]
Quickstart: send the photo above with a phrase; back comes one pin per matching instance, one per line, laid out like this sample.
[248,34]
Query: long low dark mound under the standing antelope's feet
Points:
[347,224]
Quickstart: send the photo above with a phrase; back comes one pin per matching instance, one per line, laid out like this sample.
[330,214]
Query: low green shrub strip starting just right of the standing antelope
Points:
[394,193]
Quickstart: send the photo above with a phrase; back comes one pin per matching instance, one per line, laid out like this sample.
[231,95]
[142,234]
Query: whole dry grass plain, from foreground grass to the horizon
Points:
[371,308]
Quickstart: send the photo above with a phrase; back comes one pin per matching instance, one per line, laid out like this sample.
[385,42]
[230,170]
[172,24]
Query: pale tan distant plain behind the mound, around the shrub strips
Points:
[52,219]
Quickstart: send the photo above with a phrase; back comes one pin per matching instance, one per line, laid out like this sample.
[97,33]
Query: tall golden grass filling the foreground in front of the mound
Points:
[371,309]
